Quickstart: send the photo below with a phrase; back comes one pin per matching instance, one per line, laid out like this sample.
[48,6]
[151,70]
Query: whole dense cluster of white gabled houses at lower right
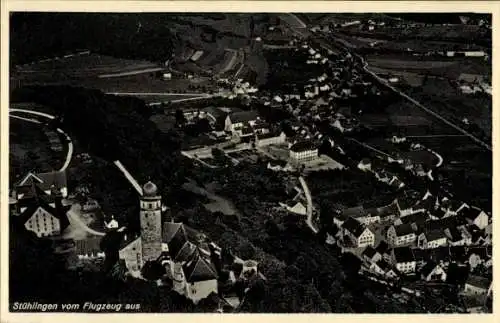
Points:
[431,238]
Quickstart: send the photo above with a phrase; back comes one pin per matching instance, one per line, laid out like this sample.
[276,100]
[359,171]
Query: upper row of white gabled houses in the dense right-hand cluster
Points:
[426,223]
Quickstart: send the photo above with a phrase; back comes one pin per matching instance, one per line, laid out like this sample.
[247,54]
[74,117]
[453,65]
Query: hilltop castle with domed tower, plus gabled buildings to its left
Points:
[194,266]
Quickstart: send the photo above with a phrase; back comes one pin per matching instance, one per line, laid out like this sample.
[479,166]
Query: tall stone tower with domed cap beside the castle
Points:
[150,215]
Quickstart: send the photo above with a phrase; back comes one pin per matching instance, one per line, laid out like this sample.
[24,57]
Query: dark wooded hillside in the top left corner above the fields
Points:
[36,35]
